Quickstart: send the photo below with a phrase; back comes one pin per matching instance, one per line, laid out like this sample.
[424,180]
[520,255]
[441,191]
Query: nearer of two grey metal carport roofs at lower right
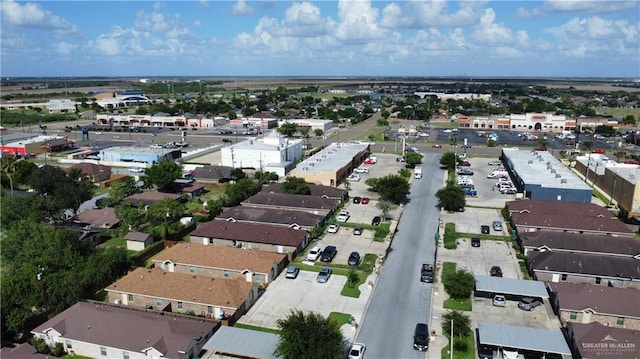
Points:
[526,338]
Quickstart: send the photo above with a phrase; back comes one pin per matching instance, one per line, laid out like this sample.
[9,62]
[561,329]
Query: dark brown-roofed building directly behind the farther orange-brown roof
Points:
[251,236]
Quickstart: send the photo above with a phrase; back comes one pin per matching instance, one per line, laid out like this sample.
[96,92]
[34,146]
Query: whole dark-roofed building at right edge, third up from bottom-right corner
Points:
[584,268]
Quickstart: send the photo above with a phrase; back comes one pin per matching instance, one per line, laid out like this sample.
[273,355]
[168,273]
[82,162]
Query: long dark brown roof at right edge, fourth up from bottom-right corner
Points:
[579,242]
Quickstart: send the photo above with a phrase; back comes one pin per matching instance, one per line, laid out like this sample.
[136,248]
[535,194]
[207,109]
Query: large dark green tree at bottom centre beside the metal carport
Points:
[308,336]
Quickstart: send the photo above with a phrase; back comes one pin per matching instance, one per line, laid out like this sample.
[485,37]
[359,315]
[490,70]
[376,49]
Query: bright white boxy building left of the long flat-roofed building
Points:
[273,153]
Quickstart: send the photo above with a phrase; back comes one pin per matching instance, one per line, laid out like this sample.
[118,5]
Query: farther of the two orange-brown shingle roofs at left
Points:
[220,257]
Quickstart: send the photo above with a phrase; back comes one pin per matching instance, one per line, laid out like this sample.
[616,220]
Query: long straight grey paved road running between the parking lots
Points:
[400,300]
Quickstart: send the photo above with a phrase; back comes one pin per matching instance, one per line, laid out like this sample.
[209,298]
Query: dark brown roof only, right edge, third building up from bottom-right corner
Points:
[588,264]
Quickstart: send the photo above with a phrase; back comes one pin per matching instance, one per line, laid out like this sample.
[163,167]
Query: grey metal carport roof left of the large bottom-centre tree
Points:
[244,342]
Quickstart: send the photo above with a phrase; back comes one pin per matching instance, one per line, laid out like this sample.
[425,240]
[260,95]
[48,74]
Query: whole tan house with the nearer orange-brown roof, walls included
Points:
[166,291]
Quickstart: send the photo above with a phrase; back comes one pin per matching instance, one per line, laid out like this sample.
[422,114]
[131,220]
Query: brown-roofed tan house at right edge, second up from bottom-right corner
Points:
[585,303]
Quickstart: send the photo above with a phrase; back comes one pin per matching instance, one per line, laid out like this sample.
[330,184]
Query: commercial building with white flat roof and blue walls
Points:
[541,176]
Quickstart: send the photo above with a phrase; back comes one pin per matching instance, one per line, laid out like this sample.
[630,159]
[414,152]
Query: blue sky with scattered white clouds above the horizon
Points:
[475,38]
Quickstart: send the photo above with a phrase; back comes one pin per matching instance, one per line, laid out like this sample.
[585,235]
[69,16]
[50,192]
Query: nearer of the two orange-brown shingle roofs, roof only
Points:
[156,283]
